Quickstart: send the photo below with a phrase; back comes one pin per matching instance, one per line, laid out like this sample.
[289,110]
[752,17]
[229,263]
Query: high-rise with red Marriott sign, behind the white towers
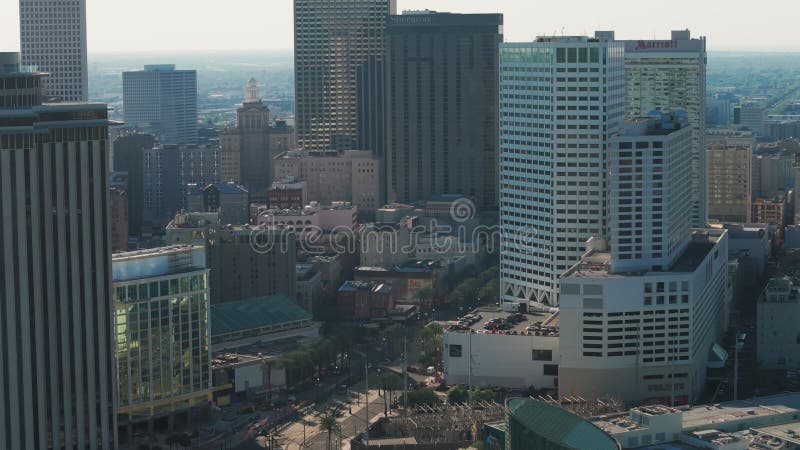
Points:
[671,75]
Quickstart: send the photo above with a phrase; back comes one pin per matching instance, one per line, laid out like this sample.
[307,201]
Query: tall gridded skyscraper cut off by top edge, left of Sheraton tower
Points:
[332,40]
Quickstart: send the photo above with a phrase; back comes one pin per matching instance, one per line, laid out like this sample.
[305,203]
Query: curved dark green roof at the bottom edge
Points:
[534,424]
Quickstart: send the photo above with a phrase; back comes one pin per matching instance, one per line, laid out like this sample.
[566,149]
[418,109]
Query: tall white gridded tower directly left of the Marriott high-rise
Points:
[561,100]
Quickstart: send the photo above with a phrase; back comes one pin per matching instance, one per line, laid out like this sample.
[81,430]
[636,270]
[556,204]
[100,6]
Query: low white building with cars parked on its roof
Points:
[527,358]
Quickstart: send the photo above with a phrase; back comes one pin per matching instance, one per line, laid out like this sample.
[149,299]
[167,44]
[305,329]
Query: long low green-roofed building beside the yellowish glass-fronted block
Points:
[259,317]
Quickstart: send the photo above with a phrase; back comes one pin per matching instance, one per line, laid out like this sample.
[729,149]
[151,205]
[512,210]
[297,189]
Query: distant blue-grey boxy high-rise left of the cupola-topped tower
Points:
[162,99]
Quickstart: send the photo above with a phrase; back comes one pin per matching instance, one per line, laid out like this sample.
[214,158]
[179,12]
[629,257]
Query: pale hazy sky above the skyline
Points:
[164,25]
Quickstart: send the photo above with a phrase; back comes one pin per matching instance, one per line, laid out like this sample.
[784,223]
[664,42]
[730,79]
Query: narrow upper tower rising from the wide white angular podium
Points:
[649,217]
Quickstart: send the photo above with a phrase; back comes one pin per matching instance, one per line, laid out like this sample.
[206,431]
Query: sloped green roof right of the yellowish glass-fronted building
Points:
[254,313]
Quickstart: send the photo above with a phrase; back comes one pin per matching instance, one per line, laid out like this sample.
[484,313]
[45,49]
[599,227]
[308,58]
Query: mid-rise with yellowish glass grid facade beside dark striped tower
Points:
[163,353]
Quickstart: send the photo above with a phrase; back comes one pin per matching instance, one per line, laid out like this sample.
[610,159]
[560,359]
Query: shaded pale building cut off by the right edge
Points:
[778,313]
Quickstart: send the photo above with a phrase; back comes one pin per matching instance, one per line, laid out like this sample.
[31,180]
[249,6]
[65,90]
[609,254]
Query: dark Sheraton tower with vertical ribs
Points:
[441,106]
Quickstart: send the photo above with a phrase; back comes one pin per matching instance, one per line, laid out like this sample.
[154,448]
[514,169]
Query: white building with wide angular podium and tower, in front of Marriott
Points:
[642,320]
